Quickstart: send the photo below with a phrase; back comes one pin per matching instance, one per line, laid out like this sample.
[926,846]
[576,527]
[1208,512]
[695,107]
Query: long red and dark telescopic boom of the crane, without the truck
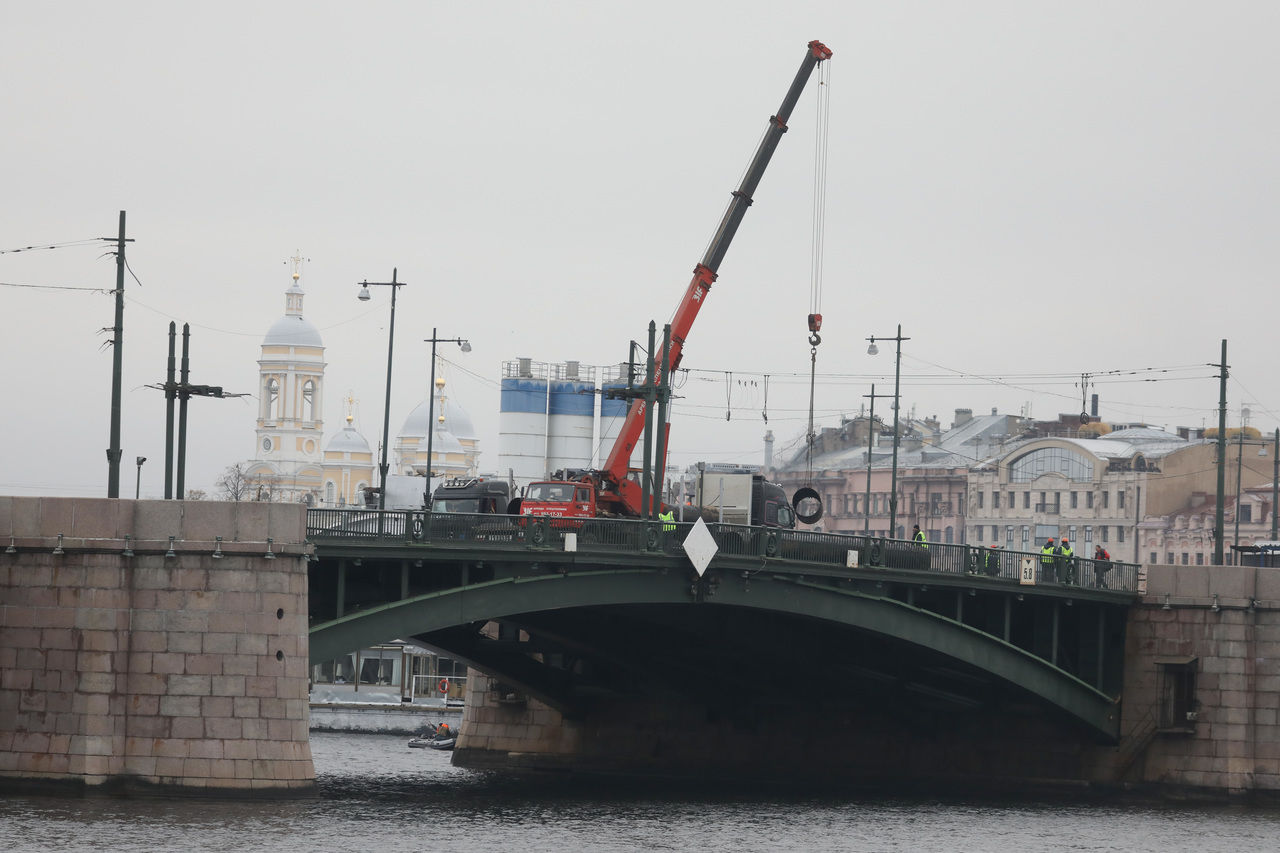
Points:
[627,492]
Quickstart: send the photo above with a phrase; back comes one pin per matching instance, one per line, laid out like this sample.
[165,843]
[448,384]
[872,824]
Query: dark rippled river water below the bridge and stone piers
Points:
[377,795]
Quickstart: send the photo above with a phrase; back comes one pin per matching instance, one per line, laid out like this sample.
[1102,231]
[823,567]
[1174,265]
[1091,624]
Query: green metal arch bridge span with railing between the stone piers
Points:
[577,612]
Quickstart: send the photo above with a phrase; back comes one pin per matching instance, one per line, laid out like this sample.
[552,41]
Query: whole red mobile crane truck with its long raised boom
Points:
[610,491]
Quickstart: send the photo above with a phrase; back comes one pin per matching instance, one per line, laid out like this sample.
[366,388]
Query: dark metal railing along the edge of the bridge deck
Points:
[833,551]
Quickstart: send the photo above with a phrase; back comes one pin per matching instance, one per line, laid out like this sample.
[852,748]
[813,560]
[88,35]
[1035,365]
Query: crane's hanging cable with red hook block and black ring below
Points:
[807,495]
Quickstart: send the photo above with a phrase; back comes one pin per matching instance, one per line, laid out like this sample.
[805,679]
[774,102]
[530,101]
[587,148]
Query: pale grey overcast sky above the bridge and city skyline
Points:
[1027,188]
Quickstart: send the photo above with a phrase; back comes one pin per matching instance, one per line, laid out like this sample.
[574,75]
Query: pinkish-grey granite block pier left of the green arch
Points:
[154,645]
